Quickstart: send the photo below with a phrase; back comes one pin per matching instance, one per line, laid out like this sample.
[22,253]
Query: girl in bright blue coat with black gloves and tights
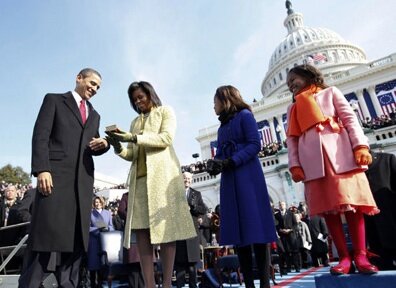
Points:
[246,217]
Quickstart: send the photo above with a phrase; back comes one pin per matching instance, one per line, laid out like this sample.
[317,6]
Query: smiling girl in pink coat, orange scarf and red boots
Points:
[329,152]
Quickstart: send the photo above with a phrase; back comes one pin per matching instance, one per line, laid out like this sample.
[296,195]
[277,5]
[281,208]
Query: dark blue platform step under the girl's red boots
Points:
[382,279]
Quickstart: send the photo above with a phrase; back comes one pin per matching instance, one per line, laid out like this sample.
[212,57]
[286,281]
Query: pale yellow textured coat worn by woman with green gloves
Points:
[169,213]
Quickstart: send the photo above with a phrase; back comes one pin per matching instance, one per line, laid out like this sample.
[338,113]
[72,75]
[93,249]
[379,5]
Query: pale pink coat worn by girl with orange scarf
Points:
[306,150]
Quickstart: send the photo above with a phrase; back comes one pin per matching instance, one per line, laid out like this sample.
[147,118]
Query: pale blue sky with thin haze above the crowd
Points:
[184,48]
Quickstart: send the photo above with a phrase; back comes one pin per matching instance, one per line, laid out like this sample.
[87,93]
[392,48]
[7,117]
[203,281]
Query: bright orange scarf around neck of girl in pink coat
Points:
[305,112]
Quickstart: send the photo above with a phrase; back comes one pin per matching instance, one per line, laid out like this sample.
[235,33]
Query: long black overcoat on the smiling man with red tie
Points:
[60,146]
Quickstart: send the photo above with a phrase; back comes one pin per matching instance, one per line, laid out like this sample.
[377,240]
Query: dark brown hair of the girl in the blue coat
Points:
[231,99]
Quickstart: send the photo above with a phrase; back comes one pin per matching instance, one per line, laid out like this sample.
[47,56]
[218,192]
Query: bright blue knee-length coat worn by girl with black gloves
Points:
[246,216]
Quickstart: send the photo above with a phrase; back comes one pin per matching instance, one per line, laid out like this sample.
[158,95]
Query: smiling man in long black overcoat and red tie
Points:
[65,137]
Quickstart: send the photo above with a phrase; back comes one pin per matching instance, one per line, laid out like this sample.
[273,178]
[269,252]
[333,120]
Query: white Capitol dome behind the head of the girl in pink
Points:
[317,46]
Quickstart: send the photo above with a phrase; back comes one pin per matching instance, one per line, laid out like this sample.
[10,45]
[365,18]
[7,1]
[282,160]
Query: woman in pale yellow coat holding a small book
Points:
[157,207]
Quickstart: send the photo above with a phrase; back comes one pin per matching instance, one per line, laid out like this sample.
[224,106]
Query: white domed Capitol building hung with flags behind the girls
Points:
[370,87]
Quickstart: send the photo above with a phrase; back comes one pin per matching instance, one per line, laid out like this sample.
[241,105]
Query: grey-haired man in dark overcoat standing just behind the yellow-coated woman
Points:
[187,251]
